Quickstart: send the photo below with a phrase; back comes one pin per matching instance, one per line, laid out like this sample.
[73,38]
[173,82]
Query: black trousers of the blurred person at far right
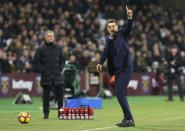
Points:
[170,82]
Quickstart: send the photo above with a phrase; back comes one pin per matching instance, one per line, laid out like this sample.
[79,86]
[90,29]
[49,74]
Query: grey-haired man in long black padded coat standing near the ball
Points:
[49,61]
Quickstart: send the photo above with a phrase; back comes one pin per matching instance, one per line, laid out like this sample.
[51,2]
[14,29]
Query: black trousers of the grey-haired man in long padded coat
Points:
[58,94]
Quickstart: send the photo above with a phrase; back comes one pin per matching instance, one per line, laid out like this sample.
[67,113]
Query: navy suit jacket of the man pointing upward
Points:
[122,58]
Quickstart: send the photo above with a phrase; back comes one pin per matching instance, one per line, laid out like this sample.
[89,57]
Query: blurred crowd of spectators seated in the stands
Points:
[79,27]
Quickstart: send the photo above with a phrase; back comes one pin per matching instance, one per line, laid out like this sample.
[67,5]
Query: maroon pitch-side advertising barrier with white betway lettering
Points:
[140,84]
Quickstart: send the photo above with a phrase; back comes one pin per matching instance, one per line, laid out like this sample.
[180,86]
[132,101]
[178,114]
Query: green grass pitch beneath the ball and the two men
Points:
[151,113]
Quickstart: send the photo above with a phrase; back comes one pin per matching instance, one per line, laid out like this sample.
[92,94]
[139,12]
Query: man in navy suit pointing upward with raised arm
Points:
[119,63]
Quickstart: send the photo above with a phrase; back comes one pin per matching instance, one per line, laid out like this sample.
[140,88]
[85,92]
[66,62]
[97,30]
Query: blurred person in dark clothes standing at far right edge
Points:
[173,73]
